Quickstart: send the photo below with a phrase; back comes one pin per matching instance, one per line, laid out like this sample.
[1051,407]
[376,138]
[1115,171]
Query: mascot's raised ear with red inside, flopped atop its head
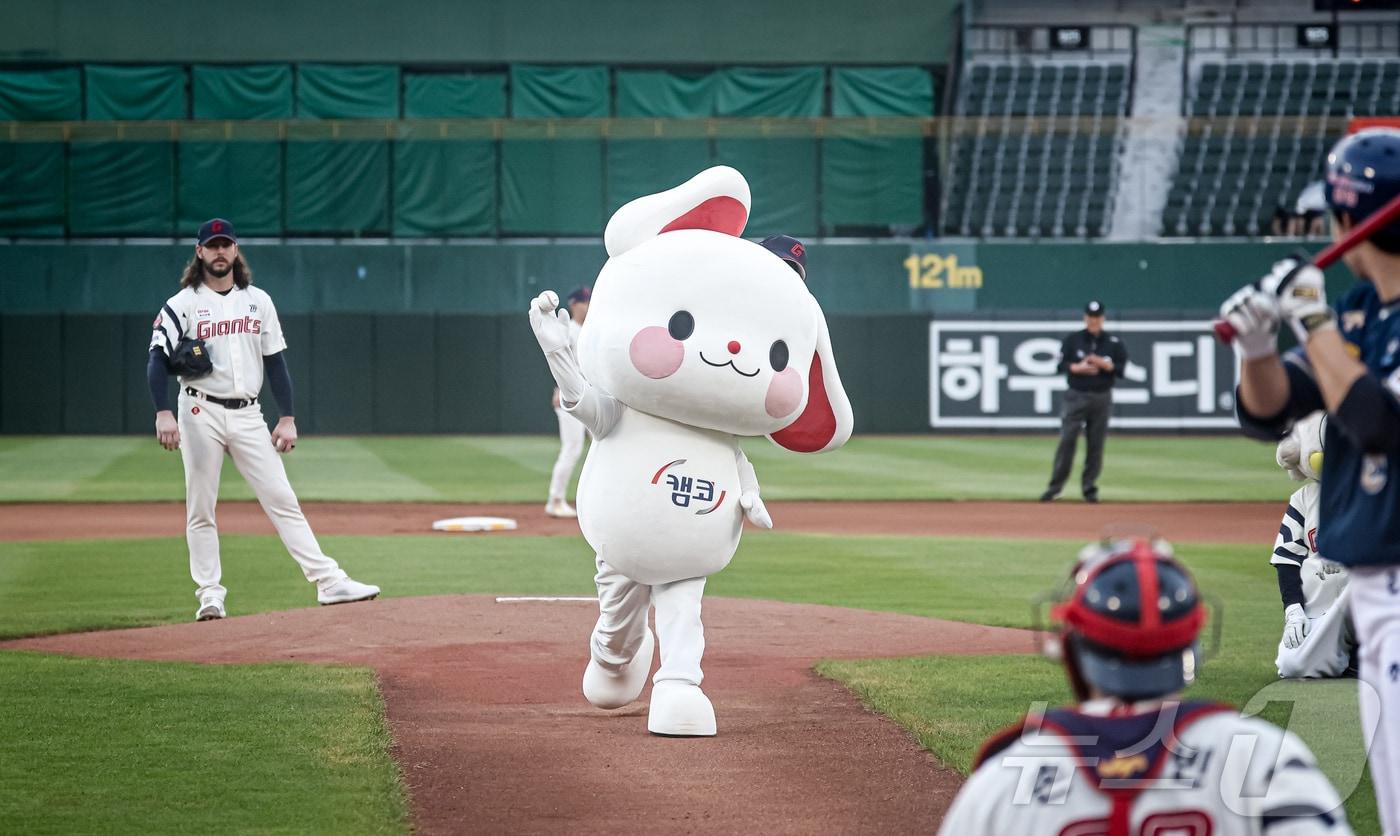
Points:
[716,200]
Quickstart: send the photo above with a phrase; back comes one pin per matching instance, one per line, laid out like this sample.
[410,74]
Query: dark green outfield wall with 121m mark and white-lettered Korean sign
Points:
[435,340]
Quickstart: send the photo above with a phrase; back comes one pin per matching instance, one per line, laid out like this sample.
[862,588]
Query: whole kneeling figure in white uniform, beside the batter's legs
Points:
[1318,639]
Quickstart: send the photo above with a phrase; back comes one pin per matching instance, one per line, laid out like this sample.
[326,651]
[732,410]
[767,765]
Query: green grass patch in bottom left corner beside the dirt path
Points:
[122,747]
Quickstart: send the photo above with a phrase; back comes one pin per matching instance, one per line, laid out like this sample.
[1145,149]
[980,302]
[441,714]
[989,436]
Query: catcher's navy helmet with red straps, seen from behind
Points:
[1130,624]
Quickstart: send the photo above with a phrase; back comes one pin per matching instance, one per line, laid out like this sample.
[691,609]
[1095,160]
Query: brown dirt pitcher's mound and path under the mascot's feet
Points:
[493,734]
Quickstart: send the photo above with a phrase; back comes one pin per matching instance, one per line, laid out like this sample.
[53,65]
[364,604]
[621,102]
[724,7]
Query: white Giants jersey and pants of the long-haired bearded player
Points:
[239,328]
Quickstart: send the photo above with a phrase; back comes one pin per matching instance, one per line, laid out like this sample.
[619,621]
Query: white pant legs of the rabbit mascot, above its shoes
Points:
[622,622]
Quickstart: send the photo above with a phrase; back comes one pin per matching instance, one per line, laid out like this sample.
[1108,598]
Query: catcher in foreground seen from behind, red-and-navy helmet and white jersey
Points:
[1132,757]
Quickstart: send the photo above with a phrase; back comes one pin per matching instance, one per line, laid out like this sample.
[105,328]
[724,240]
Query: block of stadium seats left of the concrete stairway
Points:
[1037,153]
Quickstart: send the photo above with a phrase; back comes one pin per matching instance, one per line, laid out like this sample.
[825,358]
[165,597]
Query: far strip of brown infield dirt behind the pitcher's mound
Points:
[1212,523]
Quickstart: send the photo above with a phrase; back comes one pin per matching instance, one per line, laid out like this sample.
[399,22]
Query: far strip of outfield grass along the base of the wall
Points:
[516,468]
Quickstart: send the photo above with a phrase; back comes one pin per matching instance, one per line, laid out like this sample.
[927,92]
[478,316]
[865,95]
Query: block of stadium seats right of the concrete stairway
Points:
[1261,134]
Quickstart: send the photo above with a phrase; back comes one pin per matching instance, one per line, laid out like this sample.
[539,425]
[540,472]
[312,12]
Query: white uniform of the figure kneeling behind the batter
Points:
[1331,642]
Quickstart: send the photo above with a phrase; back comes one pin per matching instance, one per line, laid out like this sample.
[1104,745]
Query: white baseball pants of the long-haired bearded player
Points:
[206,432]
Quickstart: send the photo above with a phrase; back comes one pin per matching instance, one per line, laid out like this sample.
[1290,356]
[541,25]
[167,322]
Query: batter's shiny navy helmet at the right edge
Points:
[1364,174]
